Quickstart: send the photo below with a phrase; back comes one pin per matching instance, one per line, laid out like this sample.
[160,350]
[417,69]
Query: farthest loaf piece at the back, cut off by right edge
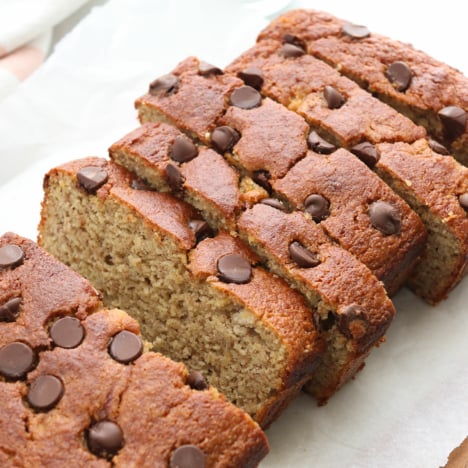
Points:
[429,92]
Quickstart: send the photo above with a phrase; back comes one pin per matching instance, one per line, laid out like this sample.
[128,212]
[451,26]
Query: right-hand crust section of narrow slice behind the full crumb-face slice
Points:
[341,280]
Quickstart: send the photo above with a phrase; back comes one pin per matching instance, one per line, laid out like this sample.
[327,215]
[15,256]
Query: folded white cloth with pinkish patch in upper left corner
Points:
[25,36]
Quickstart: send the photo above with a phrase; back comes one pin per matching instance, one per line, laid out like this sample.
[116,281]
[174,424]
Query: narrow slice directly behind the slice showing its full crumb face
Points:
[336,285]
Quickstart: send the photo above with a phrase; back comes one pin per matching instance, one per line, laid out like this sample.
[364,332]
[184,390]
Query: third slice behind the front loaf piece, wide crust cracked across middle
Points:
[267,141]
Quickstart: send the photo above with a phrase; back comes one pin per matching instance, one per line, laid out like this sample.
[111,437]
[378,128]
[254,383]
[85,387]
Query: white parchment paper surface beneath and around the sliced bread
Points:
[409,407]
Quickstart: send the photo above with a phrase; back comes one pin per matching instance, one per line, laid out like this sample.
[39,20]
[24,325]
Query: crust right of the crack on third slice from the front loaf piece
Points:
[351,187]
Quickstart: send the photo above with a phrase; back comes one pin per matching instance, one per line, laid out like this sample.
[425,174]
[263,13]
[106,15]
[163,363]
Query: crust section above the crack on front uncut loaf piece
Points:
[41,301]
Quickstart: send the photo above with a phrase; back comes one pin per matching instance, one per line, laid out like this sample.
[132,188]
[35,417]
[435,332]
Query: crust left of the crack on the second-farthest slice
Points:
[298,82]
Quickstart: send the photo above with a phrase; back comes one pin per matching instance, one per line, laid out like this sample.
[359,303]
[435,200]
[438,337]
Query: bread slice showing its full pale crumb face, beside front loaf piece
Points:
[140,249]
